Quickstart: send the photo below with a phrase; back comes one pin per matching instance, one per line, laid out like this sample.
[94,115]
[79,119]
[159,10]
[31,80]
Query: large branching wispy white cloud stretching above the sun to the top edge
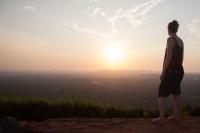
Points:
[135,16]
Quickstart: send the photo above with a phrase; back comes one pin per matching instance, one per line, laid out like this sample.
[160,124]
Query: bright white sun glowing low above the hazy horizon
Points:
[114,54]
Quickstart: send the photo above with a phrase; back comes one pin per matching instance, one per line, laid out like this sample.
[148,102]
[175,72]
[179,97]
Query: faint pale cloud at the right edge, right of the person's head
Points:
[194,27]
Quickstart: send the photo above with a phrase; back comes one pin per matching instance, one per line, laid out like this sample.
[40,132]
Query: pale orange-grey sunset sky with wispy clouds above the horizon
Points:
[74,35]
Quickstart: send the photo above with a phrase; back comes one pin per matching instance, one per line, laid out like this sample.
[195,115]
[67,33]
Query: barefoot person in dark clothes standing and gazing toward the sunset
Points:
[172,74]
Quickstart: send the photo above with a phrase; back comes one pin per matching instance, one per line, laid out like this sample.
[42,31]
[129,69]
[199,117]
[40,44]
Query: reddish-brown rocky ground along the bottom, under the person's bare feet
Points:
[114,125]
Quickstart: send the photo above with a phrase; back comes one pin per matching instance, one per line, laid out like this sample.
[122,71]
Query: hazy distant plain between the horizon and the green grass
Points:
[124,88]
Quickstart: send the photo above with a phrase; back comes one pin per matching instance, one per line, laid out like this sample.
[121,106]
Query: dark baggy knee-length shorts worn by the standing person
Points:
[170,84]
